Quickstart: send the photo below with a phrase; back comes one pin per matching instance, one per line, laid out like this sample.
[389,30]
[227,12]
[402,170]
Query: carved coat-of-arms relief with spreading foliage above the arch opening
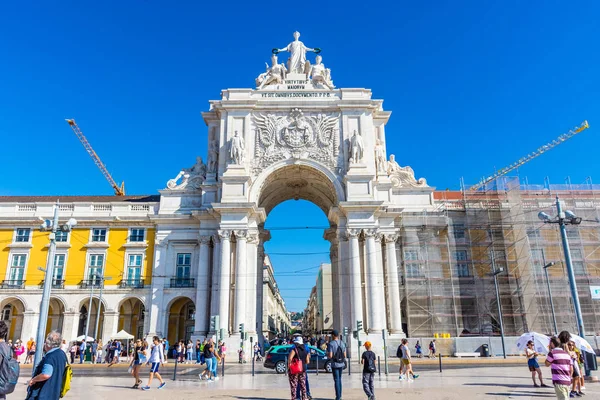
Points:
[295,136]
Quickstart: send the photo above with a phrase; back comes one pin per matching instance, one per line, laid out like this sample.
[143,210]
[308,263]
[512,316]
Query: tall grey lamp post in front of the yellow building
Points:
[48,279]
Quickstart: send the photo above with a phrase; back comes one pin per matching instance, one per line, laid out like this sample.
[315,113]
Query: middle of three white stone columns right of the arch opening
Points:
[374,283]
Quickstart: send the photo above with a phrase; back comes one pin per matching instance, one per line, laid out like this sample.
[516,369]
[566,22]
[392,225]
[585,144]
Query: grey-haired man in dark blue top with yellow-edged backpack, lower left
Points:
[49,375]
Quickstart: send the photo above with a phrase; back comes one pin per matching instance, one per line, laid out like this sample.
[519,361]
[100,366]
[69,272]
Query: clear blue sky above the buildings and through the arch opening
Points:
[472,85]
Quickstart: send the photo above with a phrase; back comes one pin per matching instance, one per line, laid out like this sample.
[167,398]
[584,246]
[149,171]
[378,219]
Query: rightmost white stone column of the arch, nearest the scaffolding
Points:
[393,285]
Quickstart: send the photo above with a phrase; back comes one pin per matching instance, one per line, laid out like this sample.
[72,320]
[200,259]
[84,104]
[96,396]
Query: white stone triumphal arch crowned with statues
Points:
[294,135]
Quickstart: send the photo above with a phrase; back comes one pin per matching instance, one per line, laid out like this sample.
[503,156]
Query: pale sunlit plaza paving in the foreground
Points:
[458,382]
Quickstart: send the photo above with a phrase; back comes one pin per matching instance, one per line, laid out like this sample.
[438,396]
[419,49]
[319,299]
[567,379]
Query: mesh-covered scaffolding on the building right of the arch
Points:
[448,256]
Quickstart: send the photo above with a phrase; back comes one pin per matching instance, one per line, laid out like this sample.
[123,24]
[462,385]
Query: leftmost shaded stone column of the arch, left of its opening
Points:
[202,288]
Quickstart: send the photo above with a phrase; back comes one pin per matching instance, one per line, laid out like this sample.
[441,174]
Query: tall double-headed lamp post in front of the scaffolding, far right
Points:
[563,219]
